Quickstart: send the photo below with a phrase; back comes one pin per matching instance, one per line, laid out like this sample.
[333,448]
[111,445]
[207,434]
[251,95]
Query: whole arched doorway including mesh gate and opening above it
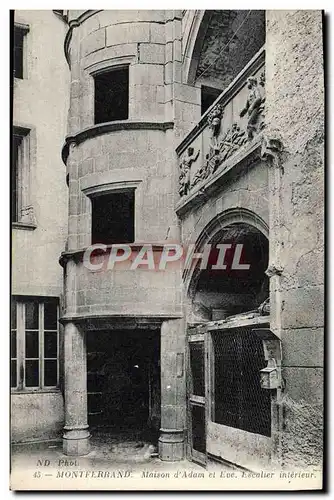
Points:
[229,412]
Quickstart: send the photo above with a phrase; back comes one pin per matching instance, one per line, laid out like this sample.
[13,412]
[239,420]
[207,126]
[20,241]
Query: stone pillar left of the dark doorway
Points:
[76,434]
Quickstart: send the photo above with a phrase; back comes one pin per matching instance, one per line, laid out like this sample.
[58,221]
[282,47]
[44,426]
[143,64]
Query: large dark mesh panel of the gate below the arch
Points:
[239,400]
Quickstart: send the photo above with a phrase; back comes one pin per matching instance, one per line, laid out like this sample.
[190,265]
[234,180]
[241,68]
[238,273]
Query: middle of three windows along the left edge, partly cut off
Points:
[20,173]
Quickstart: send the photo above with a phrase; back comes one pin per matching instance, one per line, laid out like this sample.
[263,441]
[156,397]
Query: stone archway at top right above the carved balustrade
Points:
[206,35]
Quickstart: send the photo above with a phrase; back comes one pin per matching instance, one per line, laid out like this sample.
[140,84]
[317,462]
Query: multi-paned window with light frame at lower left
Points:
[34,344]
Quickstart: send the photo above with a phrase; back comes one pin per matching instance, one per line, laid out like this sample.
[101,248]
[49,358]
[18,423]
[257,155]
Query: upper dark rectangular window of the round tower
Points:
[112,95]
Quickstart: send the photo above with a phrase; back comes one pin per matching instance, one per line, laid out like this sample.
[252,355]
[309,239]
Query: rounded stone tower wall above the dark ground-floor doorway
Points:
[139,152]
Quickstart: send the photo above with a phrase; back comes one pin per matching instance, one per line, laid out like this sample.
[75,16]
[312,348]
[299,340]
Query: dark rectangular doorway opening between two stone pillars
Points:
[123,380]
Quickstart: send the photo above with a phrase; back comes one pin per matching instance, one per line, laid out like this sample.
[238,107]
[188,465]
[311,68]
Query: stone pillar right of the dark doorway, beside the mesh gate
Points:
[173,391]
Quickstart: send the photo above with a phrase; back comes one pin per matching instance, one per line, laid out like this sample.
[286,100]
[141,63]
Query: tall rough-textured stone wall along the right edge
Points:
[295,116]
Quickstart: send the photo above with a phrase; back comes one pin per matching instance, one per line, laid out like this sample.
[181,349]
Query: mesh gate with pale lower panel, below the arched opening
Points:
[229,413]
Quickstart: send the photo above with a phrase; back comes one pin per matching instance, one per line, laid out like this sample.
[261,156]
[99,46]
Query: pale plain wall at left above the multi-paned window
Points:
[41,94]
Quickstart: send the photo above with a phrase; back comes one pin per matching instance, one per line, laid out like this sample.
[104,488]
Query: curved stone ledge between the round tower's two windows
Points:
[107,127]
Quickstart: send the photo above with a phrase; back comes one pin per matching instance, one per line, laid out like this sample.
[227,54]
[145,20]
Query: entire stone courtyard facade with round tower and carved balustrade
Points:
[183,128]
